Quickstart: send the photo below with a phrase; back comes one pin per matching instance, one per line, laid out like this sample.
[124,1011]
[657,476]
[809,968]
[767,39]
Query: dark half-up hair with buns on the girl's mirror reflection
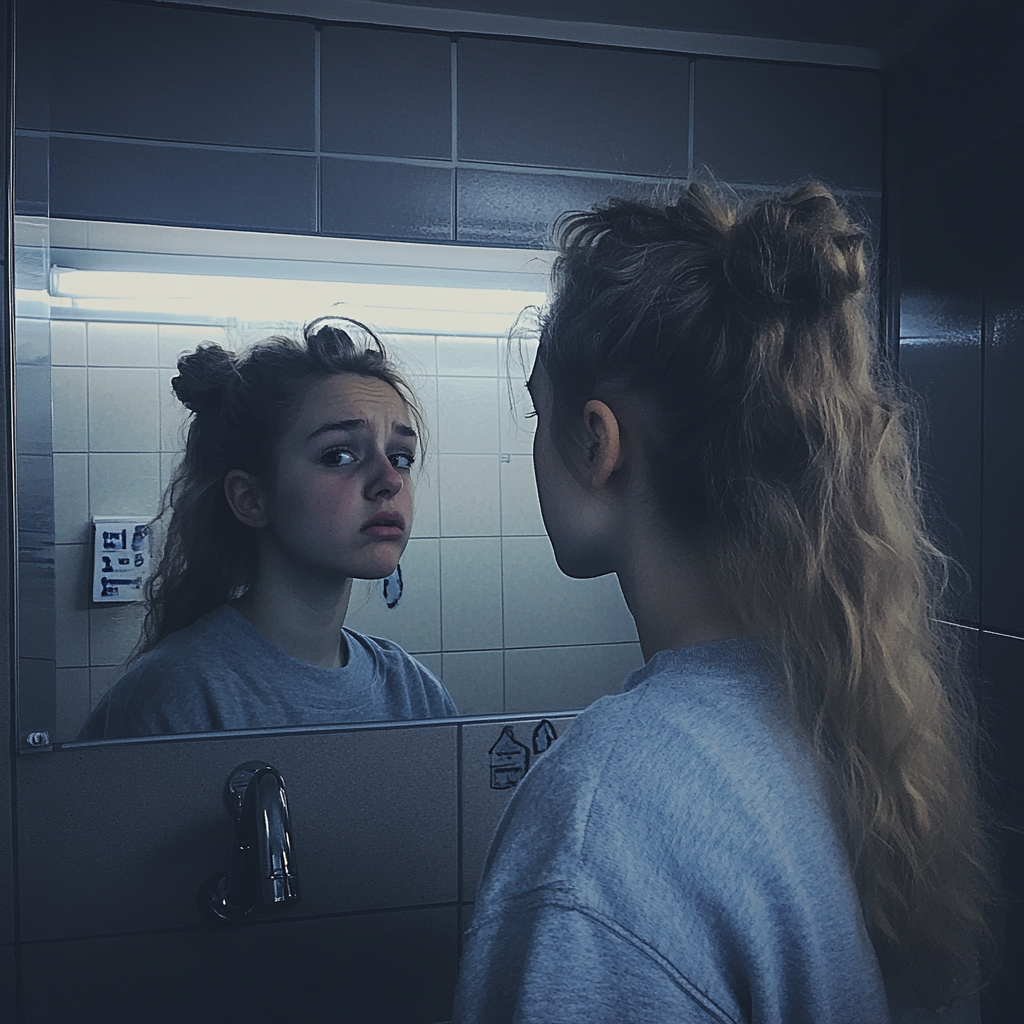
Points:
[241,407]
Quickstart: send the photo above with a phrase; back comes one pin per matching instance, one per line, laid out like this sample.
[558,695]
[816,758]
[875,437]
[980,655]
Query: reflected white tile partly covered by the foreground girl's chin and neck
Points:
[544,608]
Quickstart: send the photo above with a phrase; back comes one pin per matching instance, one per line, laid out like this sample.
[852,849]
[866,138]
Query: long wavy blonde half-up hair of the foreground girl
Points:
[744,335]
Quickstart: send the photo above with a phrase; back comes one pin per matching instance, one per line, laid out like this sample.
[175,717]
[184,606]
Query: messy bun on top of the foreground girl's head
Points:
[799,251]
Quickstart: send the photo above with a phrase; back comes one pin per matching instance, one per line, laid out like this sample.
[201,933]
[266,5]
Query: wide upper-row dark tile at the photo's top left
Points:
[191,76]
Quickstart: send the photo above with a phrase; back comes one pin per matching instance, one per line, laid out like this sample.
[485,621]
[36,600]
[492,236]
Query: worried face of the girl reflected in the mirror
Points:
[342,499]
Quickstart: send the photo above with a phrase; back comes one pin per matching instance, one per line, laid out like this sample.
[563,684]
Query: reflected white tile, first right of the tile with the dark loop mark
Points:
[472,594]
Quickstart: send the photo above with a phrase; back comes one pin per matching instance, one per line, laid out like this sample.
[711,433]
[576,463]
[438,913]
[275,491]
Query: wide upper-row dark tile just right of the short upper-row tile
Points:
[574,107]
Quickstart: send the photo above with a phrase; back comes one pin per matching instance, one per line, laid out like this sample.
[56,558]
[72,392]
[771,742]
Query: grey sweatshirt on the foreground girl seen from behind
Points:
[673,860]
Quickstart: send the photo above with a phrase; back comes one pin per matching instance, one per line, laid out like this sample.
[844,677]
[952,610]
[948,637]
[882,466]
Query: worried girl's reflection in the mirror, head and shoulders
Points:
[296,480]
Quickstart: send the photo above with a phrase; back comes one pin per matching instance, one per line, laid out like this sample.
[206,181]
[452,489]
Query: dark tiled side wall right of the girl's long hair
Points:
[956,110]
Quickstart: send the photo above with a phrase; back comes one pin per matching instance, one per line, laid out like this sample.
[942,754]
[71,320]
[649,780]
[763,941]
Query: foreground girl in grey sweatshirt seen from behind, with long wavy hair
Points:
[779,819]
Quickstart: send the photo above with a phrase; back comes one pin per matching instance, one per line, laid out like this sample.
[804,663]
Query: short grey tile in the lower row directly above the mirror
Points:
[380,200]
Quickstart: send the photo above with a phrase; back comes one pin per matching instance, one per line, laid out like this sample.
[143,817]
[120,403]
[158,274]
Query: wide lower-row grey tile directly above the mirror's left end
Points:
[140,183]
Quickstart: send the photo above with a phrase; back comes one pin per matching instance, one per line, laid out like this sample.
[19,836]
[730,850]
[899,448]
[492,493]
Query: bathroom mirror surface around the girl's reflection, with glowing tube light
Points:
[104,312]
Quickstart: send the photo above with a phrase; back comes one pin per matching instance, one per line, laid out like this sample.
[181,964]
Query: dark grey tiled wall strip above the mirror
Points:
[160,114]
